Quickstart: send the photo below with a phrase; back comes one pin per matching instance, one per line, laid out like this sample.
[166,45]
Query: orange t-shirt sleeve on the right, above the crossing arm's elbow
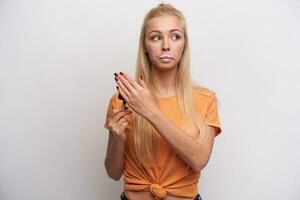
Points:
[212,117]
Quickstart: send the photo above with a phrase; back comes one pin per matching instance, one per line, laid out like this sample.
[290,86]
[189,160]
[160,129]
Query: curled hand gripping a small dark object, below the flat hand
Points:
[117,123]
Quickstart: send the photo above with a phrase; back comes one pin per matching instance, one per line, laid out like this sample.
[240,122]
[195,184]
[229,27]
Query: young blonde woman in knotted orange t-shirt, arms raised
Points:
[161,126]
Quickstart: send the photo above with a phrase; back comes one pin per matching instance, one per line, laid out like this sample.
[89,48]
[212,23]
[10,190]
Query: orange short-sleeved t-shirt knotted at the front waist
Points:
[172,175]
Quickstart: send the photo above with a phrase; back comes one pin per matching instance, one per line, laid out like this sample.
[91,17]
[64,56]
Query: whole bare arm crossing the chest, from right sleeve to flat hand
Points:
[138,97]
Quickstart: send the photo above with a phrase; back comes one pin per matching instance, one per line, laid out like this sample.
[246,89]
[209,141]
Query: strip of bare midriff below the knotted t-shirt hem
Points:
[146,195]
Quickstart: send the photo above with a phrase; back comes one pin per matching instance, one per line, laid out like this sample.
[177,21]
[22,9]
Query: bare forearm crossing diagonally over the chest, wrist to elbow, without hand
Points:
[192,152]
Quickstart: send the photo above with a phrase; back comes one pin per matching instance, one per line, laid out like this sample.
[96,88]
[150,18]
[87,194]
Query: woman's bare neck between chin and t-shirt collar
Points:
[165,82]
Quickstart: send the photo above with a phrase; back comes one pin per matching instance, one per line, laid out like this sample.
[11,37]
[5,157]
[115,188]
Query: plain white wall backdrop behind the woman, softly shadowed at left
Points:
[57,60]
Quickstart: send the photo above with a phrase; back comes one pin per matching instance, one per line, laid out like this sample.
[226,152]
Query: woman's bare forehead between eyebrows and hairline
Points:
[164,24]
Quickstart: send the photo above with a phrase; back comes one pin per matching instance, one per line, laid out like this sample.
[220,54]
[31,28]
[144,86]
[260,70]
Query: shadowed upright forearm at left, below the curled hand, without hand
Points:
[114,161]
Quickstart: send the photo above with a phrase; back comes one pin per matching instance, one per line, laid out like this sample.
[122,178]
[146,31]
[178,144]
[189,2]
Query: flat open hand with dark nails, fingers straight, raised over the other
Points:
[136,94]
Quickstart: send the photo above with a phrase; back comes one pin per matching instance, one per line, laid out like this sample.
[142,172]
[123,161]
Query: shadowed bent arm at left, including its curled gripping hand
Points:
[114,161]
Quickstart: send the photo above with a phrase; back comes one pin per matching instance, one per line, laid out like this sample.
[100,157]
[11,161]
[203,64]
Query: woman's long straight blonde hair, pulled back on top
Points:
[143,131]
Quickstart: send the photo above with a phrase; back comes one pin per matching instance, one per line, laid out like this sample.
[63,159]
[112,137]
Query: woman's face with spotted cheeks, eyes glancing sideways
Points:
[164,42]
